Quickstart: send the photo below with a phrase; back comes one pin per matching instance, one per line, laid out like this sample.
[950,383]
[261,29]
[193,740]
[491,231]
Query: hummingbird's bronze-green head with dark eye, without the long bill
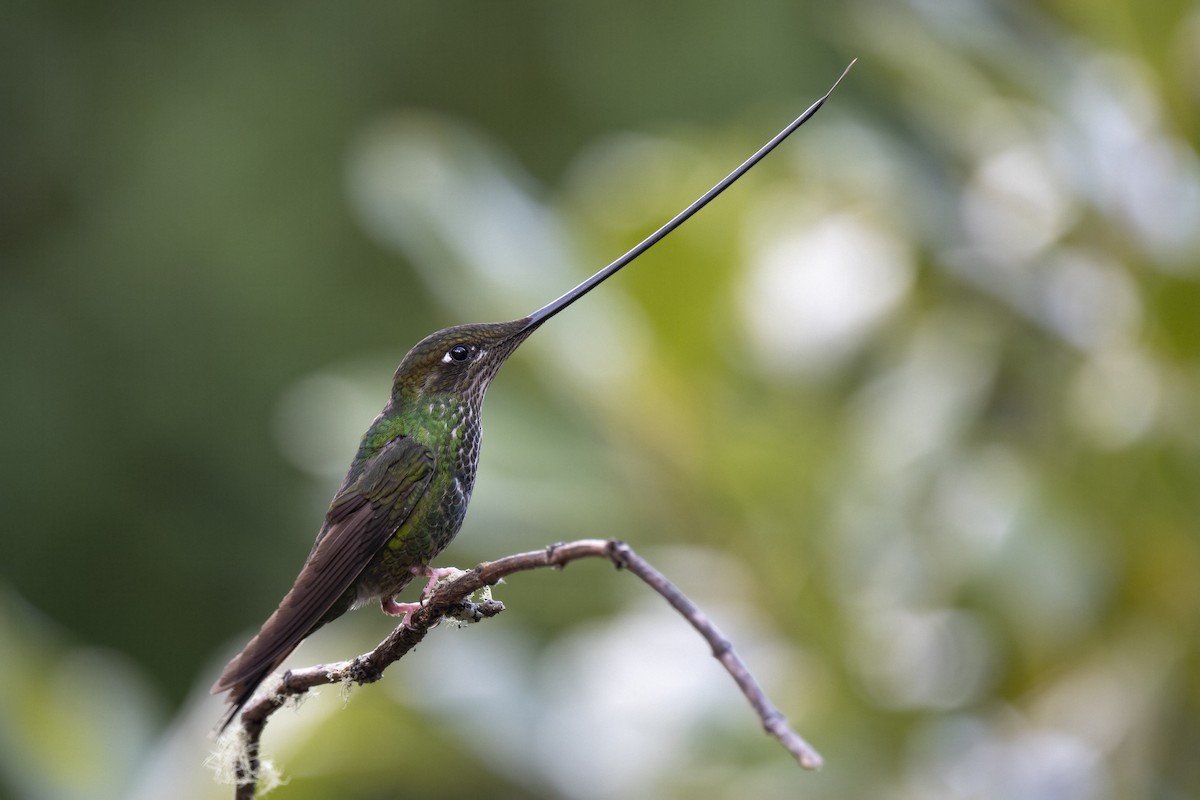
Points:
[460,360]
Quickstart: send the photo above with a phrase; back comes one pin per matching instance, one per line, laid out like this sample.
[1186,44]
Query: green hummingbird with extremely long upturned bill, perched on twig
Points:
[405,496]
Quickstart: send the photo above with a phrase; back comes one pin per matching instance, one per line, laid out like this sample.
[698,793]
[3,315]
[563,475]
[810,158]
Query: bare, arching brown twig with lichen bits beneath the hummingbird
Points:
[451,599]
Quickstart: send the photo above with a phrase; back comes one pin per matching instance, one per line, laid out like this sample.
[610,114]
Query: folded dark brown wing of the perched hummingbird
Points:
[362,519]
